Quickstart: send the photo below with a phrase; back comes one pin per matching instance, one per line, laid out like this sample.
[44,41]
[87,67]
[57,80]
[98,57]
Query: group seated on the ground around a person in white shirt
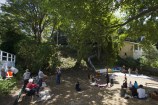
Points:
[132,90]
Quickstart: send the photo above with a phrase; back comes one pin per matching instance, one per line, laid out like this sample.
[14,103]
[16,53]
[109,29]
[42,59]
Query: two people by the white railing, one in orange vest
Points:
[6,74]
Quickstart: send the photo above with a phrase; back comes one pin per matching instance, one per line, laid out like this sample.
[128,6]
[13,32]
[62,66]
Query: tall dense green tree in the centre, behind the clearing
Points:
[87,28]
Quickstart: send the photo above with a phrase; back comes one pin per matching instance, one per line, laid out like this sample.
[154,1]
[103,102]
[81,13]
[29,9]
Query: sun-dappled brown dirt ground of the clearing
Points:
[65,94]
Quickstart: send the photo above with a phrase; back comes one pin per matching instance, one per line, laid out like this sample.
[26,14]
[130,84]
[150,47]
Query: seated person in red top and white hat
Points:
[31,88]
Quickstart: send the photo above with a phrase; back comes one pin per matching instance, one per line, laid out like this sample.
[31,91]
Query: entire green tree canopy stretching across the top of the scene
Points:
[91,27]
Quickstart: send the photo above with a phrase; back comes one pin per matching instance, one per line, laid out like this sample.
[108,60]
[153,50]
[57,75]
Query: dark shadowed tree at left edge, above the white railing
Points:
[10,35]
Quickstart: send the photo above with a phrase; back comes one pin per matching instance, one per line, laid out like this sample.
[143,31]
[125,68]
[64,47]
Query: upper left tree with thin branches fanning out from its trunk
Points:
[35,17]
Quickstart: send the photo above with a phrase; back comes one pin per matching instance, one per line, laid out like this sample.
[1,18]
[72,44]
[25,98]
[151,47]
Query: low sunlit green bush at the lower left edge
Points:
[6,86]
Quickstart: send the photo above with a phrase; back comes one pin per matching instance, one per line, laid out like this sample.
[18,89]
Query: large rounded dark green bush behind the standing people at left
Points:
[35,56]
